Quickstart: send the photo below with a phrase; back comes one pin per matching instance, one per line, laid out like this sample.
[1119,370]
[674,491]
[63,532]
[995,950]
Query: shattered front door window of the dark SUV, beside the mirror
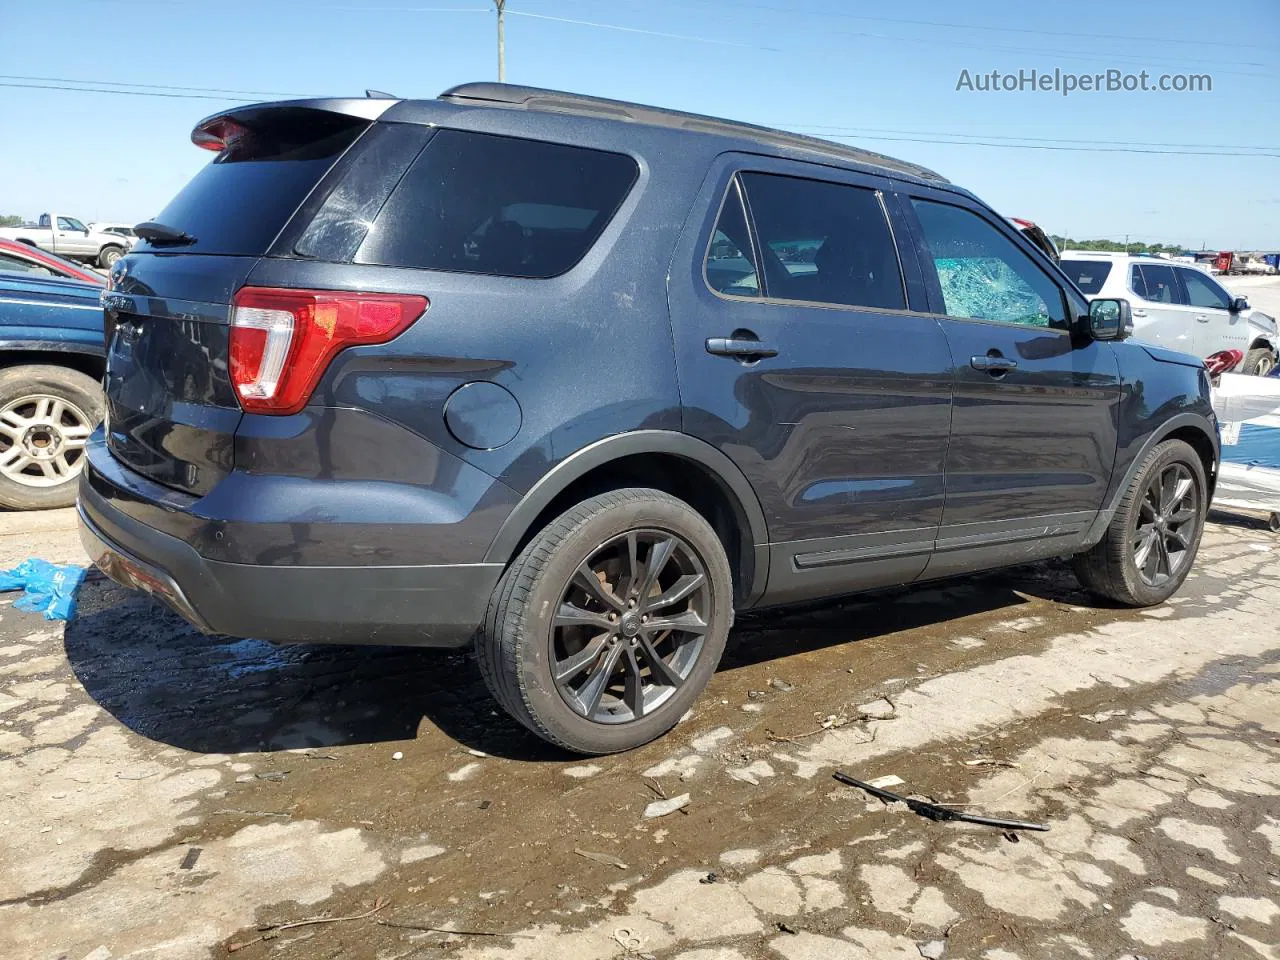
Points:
[982,275]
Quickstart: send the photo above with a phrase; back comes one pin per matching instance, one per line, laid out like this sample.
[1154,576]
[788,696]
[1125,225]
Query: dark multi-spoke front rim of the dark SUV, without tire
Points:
[1168,520]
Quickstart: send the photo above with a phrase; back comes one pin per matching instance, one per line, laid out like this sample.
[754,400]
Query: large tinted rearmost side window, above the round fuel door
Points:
[478,203]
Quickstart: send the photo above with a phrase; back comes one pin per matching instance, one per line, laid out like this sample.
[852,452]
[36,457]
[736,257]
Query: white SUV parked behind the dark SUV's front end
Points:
[1178,307]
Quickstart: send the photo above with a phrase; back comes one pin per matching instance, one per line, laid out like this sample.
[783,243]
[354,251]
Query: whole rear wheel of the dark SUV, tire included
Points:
[524,642]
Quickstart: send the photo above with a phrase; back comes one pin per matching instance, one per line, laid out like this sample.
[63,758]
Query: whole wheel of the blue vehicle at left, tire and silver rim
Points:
[44,410]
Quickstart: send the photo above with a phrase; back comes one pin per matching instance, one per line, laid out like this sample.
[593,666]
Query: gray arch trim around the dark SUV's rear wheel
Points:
[676,464]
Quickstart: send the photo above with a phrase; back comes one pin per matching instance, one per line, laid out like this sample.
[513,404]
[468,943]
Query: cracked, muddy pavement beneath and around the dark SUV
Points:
[163,794]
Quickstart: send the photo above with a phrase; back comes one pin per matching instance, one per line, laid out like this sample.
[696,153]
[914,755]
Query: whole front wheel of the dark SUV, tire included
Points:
[1110,569]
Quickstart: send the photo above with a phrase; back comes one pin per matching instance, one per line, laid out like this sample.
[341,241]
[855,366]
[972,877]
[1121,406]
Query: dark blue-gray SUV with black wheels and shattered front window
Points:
[573,381]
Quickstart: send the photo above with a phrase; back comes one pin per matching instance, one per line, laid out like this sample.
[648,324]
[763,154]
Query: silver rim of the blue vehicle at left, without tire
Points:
[43,440]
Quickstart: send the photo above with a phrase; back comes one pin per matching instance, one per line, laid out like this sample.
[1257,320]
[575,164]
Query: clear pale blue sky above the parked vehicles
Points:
[1200,170]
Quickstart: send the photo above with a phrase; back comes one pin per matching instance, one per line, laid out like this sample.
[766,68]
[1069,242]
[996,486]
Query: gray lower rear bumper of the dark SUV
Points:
[419,606]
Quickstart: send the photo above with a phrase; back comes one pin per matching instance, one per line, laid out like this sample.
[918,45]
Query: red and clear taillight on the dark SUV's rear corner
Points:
[284,340]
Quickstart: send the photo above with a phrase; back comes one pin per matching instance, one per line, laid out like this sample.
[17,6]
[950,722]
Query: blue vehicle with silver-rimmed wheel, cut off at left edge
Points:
[52,358]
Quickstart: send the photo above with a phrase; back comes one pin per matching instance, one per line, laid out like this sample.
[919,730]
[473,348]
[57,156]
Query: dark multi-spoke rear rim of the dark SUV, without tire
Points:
[630,627]
